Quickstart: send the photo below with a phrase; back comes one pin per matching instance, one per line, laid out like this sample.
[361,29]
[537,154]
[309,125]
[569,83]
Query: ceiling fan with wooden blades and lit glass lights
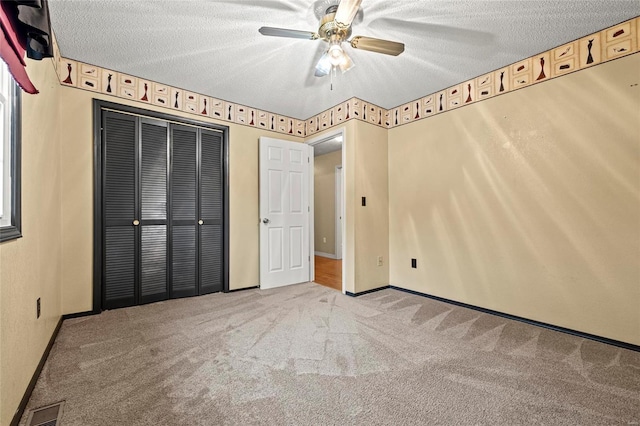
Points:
[335,28]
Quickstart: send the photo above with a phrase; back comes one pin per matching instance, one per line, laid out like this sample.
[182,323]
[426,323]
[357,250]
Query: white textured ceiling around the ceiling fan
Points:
[213,47]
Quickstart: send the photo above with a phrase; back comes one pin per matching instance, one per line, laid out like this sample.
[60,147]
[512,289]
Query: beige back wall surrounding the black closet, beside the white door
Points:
[77,176]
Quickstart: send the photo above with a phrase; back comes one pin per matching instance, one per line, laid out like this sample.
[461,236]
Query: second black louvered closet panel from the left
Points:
[153,210]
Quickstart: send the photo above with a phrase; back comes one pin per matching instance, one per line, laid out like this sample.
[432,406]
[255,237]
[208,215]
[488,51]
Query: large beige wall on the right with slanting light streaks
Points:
[527,203]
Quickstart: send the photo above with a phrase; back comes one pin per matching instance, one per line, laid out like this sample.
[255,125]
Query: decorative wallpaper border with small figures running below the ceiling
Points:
[611,43]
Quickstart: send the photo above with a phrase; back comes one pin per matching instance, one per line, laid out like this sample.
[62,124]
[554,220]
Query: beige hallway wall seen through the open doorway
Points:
[324,194]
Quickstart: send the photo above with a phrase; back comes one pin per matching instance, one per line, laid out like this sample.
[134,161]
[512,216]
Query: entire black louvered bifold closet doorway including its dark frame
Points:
[161,207]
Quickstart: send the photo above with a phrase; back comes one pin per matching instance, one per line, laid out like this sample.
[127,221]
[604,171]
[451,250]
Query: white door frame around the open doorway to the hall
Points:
[315,141]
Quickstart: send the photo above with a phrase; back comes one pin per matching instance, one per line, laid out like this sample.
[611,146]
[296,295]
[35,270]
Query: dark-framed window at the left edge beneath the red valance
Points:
[9,157]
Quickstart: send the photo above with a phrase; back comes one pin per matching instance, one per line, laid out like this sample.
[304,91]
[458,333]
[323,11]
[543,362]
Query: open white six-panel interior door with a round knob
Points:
[284,213]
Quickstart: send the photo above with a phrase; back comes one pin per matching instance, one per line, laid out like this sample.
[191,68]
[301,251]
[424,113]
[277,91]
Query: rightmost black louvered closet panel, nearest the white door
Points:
[211,212]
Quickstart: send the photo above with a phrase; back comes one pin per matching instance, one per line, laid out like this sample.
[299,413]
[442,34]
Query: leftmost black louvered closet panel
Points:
[119,204]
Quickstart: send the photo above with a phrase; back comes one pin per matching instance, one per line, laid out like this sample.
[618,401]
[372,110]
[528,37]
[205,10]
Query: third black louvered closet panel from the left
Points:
[184,209]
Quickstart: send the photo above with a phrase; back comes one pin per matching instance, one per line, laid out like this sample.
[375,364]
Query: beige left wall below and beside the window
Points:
[30,267]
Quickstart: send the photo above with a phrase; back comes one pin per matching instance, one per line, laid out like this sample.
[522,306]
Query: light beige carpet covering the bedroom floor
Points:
[308,355]
